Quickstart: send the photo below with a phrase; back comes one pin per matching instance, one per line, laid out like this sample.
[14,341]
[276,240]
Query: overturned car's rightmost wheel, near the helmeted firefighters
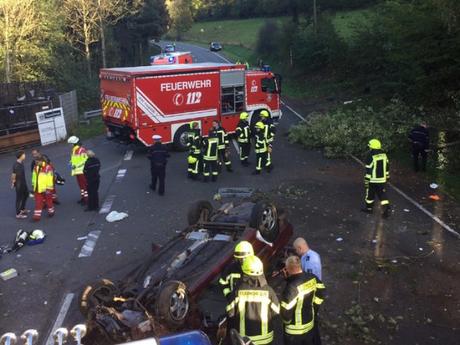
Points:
[264,217]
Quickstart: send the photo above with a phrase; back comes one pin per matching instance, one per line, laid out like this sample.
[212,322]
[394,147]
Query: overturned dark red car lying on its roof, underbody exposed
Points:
[161,295]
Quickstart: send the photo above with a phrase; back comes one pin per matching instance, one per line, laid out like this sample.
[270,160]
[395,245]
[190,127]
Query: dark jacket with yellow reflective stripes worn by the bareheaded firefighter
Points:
[301,296]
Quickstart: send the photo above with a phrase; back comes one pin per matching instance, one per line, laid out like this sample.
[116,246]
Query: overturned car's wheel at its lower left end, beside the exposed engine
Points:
[101,292]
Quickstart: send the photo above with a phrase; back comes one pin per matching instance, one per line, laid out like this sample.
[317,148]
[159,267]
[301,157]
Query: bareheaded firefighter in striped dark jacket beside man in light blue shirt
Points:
[300,301]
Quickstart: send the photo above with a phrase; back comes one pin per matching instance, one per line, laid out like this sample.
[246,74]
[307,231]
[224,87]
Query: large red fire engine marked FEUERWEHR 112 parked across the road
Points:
[138,102]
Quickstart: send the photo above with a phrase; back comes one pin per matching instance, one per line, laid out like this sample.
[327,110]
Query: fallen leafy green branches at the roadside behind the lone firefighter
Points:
[347,129]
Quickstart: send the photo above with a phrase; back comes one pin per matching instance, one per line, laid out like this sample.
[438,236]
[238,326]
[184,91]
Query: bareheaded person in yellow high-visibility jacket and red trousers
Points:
[42,186]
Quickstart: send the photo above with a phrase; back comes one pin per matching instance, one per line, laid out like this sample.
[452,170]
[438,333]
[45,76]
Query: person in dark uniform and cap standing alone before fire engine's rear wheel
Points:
[158,156]
